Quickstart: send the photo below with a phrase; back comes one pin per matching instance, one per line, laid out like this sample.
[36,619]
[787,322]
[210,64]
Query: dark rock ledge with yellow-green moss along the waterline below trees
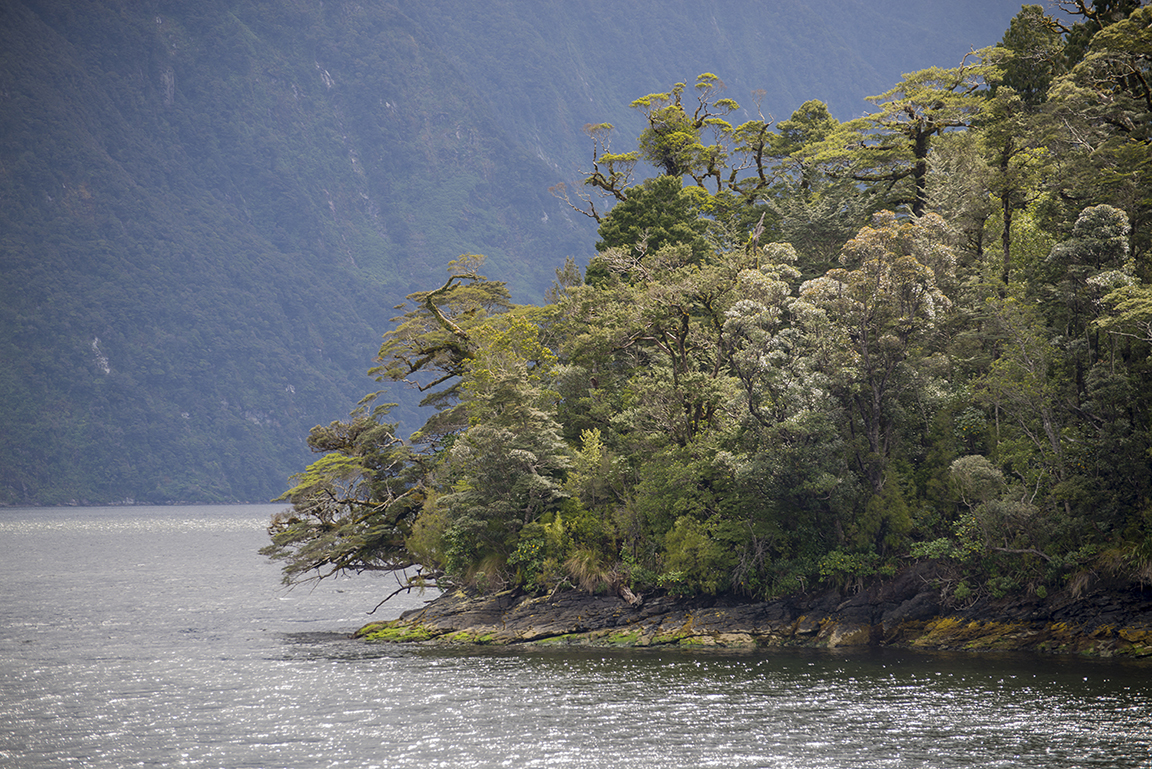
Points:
[905,613]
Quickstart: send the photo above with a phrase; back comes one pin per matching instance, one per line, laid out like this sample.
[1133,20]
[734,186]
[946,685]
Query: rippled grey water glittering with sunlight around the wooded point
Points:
[157,637]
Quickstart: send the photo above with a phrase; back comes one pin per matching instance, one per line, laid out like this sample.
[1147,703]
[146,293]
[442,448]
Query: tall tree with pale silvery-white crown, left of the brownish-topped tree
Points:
[786,456]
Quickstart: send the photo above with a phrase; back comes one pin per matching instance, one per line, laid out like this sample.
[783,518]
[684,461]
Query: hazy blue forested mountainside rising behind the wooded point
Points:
[209,209]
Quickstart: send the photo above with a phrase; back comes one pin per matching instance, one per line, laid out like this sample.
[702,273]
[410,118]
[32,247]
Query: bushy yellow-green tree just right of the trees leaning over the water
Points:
[505,470]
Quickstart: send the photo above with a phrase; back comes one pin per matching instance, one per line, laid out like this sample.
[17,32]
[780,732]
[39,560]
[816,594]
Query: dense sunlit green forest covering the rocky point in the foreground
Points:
[808,352]
